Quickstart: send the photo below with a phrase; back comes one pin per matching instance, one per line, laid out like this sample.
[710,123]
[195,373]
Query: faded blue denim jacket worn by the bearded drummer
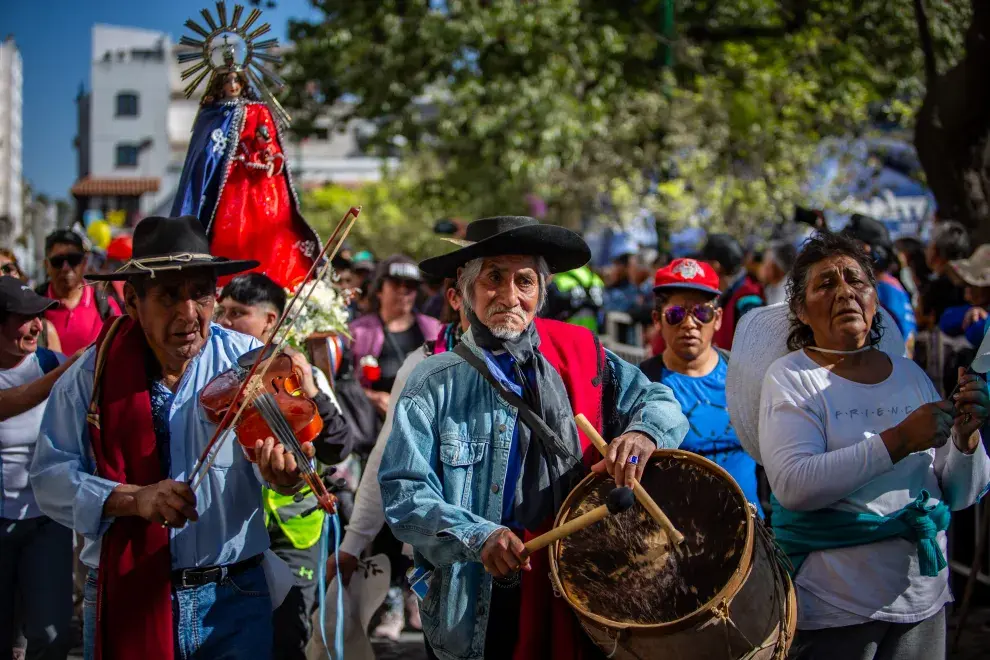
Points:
[443,474]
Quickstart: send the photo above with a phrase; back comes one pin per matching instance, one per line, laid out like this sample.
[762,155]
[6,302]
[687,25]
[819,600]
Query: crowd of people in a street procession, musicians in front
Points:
[449,424]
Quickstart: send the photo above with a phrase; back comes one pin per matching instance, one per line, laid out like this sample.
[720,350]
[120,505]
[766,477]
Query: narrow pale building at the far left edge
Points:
[11,177]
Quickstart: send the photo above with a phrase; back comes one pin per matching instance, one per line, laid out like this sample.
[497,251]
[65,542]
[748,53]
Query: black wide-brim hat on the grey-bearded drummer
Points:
[562,249]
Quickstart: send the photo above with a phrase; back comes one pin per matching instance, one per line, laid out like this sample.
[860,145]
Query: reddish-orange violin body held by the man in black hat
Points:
[279,392]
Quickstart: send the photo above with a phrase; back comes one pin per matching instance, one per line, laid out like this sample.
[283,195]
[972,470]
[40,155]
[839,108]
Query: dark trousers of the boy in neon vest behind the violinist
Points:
[293,619]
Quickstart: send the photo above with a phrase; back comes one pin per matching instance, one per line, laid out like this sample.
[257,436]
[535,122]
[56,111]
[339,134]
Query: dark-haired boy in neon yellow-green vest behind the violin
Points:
[252,304]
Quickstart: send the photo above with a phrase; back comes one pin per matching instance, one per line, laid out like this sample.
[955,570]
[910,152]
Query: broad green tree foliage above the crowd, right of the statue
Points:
[572,98]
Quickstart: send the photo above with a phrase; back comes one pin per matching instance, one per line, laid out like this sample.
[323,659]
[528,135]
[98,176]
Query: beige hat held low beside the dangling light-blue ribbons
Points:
[362,596]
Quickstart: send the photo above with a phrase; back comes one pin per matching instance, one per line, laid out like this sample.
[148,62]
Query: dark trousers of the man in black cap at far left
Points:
[36,581]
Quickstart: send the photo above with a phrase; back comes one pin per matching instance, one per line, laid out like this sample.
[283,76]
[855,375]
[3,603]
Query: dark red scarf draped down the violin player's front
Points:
[134,606]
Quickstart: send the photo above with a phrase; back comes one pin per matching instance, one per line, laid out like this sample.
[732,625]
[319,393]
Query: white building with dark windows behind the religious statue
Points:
[135,124]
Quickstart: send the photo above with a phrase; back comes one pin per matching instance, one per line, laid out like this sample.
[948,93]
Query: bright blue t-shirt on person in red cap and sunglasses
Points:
[711,434]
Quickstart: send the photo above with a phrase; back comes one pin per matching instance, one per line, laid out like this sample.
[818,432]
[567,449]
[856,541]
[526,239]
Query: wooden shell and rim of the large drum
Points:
[740,622]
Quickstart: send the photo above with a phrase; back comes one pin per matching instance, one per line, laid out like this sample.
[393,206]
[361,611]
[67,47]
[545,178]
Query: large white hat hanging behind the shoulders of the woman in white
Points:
[761,338]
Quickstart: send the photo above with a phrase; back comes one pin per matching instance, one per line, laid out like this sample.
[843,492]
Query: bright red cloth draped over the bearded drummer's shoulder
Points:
[548,627]
